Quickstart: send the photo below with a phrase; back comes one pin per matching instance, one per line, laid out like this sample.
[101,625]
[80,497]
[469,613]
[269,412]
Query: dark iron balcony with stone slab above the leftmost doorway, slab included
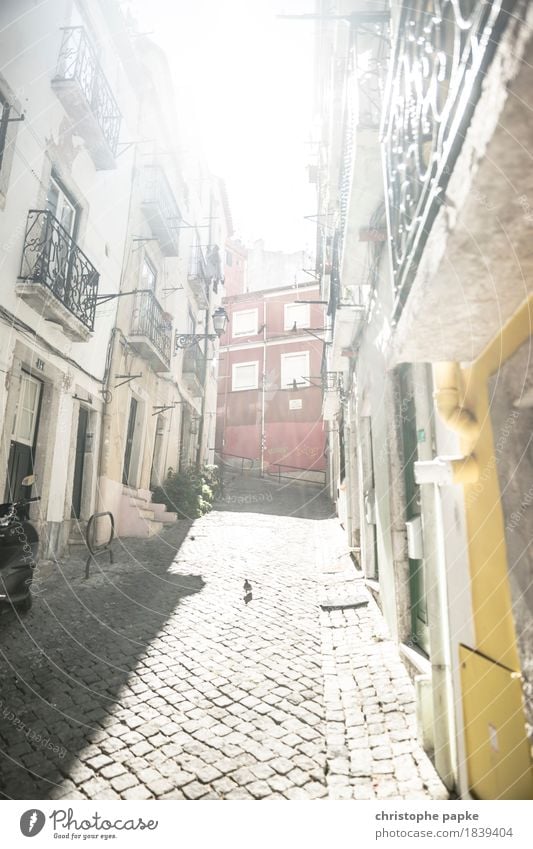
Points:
[56,278]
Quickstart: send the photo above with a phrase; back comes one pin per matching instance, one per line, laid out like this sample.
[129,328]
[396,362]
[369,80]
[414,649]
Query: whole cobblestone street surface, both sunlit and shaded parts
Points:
[155,678]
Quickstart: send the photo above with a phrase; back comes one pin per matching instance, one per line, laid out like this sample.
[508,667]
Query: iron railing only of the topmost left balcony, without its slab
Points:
[78,61]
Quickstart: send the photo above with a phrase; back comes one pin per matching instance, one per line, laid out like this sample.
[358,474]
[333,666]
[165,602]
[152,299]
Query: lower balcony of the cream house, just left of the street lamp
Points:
[151,331]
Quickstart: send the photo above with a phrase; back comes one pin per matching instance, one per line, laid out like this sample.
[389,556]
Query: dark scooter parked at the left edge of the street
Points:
[19,542]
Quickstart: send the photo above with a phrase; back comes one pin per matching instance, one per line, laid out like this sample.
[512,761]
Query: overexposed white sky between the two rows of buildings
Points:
[249,76]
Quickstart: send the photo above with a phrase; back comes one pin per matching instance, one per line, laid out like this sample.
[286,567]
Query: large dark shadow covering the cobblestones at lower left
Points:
[65,666]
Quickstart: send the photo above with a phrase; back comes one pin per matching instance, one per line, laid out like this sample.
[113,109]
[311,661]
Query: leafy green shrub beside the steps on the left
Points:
[189,493]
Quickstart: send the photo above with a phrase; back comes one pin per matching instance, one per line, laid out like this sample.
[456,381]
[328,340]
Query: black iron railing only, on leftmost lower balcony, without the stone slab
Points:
[52,258]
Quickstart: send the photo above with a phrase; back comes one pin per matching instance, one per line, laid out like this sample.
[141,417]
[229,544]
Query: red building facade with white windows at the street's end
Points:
[269,386]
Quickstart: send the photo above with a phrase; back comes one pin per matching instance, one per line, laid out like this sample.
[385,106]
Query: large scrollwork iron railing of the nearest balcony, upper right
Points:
[441,51]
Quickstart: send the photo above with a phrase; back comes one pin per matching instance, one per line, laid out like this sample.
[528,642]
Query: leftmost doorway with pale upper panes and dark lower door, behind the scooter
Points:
[23,437]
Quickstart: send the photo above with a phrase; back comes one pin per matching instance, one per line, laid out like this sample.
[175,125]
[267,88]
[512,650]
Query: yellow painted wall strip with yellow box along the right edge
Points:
[507,774]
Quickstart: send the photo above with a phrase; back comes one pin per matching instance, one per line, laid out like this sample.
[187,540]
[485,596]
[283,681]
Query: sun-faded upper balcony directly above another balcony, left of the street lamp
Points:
[160,207]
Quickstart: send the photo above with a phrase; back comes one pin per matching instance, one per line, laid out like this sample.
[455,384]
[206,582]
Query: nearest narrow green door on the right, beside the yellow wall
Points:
[417,585]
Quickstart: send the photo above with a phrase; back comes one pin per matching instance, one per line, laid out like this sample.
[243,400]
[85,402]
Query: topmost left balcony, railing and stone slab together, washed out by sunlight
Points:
[86,95]
